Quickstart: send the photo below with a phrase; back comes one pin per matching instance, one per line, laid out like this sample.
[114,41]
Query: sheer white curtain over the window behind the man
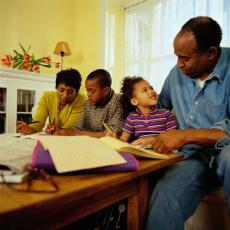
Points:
[150,27]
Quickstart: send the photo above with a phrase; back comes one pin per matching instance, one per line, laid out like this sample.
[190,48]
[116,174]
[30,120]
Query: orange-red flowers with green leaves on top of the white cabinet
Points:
[24,61]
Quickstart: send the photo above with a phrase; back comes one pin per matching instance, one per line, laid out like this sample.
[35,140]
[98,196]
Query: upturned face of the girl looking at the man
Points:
[143,95]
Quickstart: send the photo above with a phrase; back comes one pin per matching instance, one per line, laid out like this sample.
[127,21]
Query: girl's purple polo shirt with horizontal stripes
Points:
[158,120]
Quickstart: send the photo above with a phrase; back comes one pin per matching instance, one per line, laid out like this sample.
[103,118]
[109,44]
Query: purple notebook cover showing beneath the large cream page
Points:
[41,159]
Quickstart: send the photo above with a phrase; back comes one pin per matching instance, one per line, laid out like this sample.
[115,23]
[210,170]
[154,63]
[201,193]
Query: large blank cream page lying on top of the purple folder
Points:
[71,153]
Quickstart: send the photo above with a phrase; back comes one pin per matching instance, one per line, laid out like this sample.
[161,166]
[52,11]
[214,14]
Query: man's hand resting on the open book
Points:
[168,141]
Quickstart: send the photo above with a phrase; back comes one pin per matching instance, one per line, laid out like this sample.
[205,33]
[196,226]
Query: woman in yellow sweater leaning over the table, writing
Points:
[63,107]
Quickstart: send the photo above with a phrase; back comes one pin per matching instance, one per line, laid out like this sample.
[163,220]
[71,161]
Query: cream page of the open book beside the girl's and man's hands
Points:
[124,146]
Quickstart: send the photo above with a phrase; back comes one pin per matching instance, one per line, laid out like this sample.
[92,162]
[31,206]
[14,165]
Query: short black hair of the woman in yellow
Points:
[69,77]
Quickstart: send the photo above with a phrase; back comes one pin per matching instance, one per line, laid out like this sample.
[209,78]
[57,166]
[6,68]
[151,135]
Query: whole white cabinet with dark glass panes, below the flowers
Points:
[19,92]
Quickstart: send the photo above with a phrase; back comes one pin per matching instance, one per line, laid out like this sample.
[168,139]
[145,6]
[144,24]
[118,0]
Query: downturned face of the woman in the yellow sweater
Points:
[66,94]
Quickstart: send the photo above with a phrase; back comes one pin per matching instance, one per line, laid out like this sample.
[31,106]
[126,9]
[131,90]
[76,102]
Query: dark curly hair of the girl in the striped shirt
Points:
[127,93]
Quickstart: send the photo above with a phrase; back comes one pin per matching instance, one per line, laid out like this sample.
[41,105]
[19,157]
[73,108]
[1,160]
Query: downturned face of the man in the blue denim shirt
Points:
[191,62]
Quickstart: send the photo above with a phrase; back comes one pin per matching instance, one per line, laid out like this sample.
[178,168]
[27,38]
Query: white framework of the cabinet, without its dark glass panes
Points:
[12,80]
